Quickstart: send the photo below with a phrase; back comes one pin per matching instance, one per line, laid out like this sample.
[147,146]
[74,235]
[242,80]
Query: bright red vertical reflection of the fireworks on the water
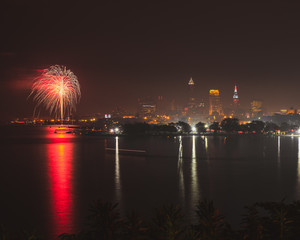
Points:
[60,165]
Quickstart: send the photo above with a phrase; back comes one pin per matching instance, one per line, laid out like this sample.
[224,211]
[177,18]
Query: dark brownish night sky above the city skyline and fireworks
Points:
[120,50]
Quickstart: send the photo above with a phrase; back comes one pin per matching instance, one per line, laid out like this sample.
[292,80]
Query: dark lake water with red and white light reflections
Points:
[48,180]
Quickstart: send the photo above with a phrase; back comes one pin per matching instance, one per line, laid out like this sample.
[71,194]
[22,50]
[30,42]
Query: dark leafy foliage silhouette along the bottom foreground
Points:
[261,221]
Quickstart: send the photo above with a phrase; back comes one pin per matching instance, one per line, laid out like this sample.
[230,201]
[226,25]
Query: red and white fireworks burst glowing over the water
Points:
[58,89]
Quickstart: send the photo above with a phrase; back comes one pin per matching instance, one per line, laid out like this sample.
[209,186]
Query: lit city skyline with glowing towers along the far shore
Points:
[201,108]
